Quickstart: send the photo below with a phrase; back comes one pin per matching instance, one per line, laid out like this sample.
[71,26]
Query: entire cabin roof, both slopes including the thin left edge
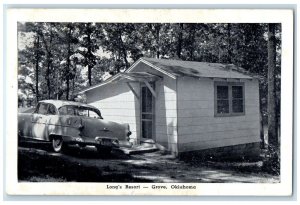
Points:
[179,68]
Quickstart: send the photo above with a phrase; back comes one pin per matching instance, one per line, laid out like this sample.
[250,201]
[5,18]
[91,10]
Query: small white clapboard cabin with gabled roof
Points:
[184,106]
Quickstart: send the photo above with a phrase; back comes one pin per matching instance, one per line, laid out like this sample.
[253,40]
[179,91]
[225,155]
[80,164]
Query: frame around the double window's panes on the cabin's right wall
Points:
[229,84]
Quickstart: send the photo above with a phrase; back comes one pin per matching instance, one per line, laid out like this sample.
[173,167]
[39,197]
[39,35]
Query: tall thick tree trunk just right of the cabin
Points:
[273,138]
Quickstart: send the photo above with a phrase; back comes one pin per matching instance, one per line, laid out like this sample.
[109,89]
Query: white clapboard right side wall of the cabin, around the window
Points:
[198,128]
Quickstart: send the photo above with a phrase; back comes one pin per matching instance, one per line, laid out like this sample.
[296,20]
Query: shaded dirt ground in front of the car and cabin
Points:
[39,164]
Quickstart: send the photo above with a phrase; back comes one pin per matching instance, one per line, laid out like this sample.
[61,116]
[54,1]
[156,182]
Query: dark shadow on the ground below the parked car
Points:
[74,164]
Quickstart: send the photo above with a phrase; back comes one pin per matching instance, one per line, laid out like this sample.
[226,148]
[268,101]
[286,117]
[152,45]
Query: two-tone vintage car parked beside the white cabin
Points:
[71,123]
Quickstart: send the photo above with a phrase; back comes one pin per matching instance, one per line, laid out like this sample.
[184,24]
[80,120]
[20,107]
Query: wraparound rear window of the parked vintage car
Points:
[79,111]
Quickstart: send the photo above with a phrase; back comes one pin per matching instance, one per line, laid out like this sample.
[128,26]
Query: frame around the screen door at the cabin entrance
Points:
[152,84]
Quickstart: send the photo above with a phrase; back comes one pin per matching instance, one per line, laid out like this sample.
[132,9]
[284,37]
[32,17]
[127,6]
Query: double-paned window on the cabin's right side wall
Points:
[229,99]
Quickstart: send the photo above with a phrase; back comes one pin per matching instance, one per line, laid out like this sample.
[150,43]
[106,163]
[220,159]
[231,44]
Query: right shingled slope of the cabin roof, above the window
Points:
[198,69]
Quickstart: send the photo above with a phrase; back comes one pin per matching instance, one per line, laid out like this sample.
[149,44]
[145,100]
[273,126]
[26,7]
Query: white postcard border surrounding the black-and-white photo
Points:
[284,188]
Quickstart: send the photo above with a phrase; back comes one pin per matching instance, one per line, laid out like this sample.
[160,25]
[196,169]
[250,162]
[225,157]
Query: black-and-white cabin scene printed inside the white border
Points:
[151,102]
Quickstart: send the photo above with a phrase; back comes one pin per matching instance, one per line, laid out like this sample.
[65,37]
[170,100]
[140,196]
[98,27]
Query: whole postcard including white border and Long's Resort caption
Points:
[184,102]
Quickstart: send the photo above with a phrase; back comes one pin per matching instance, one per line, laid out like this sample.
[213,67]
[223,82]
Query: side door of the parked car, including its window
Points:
[39,121]
